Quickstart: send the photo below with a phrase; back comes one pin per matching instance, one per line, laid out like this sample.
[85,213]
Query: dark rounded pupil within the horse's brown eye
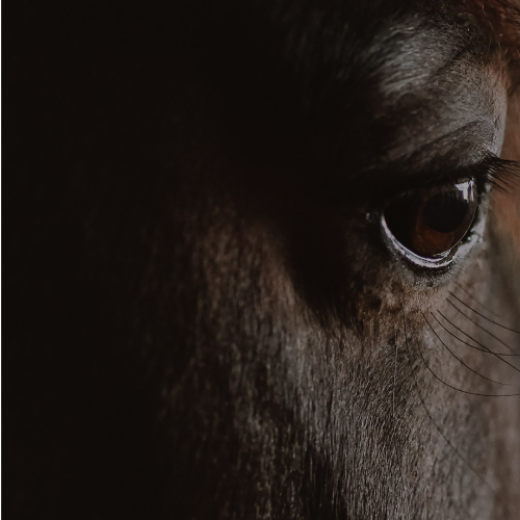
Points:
[445,212]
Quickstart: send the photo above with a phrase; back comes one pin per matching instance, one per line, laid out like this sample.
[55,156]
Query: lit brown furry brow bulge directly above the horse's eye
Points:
[438,80]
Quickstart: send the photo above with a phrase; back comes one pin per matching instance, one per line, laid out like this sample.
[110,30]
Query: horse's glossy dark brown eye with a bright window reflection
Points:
[431,222]
